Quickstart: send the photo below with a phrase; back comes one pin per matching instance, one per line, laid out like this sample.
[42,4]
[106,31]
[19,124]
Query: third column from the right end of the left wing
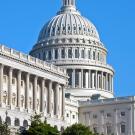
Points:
[49,96]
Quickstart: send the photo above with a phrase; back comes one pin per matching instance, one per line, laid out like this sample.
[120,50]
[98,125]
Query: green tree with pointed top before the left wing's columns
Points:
[40,128]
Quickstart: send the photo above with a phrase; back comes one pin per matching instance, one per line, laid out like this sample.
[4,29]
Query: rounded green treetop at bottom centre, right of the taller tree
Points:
[77,129]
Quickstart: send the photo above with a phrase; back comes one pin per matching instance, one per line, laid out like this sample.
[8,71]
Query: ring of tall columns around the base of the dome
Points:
[93,79]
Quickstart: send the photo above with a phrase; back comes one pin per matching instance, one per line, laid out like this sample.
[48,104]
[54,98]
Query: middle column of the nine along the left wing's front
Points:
[35,93]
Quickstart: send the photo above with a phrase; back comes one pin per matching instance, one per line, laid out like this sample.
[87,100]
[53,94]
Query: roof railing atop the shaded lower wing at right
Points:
[106,101]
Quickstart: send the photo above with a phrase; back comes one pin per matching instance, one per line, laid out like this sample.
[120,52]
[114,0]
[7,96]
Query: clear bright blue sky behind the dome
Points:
[21,21]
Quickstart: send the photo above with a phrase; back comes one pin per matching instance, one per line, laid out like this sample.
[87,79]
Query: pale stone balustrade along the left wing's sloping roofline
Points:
[31,60]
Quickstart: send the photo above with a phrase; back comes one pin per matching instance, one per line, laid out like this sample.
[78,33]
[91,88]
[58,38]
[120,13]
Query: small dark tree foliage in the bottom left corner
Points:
[4,130]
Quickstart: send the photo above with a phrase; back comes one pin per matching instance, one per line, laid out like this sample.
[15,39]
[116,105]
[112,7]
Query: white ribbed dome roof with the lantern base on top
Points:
[68,22]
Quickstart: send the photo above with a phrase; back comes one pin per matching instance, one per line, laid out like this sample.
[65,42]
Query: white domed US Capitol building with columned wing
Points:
[65,78]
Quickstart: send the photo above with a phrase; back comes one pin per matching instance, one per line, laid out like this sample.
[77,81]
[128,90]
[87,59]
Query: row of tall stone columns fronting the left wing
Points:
[46,88]
